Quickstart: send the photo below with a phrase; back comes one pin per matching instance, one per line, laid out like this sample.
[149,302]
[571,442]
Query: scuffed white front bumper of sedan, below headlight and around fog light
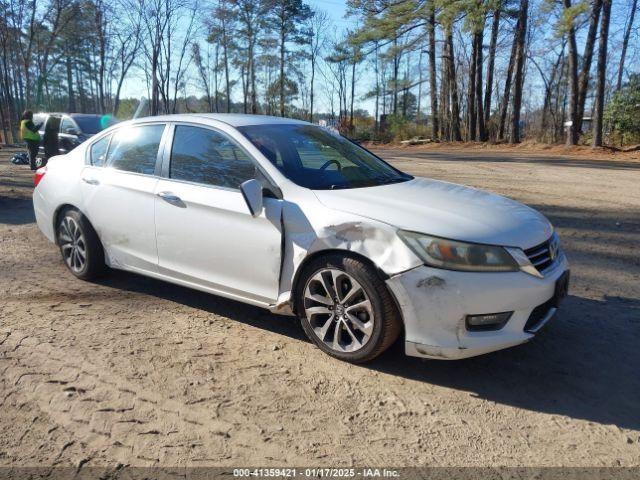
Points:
[435,302]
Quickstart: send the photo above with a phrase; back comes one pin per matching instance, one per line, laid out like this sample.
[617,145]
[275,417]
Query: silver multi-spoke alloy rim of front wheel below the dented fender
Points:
[339,310]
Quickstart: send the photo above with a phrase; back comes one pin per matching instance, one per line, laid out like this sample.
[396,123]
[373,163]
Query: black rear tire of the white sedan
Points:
[93,265]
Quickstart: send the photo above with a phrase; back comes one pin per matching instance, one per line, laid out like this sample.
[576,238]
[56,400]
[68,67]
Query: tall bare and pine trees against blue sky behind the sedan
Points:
[477,70]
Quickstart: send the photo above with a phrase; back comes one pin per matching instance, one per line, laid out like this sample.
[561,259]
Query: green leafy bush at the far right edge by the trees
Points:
[623,112]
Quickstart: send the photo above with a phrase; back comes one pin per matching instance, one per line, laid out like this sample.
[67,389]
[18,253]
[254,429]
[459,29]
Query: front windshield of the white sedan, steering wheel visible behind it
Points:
[315,158]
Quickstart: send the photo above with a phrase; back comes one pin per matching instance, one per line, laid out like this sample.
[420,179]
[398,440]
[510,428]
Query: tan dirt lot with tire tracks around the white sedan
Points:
[134,371]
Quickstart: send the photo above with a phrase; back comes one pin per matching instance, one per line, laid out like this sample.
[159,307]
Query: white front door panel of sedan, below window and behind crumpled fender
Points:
[206,236]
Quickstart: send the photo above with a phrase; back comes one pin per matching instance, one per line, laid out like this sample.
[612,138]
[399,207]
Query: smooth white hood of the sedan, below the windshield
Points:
[445,210]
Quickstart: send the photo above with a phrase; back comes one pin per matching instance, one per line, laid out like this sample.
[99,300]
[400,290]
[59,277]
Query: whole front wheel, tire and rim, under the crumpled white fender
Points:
[346,309]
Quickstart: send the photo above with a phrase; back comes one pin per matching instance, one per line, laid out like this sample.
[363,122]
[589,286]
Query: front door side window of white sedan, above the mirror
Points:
[204,156]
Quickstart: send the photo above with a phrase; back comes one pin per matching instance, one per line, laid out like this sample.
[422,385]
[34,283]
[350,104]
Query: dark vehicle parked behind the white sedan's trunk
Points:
[72,129]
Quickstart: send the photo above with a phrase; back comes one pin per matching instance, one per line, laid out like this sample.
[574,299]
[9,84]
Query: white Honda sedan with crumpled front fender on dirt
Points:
[288,216]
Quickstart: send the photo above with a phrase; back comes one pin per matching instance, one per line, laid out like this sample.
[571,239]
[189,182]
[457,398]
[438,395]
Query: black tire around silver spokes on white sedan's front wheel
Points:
[387,324]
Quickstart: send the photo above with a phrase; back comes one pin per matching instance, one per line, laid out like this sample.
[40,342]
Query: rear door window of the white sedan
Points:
[135,149]
